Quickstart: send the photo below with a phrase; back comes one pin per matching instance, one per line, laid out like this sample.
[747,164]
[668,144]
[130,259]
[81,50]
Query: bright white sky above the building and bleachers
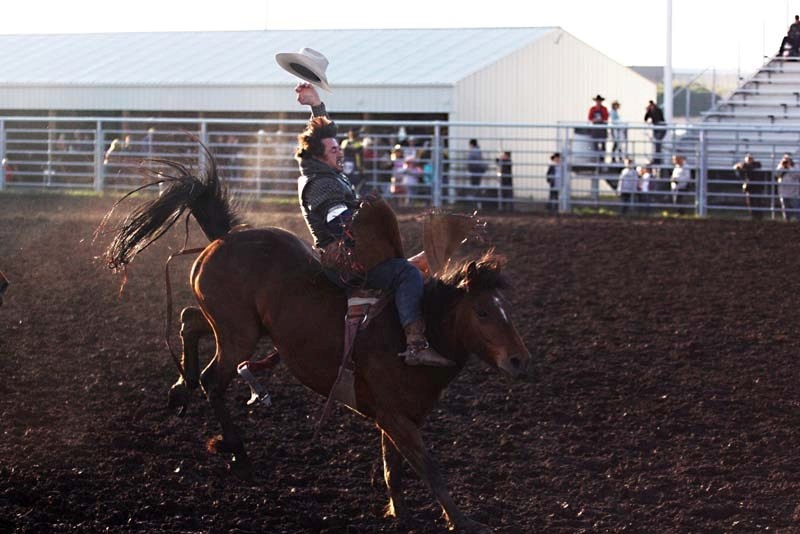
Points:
[729,35]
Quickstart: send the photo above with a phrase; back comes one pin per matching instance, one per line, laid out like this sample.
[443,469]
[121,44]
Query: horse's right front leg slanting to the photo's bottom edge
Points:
[407,438]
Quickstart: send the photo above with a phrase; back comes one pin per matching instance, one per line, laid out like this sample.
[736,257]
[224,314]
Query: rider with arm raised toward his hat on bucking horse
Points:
[328,200]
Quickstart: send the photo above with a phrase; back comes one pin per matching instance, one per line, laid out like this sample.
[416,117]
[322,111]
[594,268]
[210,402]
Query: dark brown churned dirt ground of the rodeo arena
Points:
[664,396]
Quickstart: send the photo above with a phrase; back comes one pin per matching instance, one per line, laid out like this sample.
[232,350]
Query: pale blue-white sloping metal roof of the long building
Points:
[243,58]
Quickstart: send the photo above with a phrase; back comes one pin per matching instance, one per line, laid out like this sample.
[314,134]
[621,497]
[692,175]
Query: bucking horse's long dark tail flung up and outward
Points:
[205,196]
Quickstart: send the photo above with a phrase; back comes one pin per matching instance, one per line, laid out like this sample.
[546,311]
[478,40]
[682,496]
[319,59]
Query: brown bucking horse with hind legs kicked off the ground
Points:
[257,282]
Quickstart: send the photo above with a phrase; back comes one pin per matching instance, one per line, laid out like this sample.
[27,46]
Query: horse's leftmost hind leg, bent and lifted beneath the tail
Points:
[193,328]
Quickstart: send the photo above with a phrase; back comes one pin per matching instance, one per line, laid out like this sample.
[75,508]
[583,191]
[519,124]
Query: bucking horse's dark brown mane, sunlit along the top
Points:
[441,293]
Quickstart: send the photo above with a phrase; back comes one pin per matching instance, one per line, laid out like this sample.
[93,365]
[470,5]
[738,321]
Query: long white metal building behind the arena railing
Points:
[488,74]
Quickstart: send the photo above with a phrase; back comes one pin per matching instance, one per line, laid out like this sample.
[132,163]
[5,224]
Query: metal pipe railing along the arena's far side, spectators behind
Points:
[418,163]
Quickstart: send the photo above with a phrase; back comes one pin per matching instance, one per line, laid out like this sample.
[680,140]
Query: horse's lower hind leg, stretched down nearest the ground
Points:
[215,380]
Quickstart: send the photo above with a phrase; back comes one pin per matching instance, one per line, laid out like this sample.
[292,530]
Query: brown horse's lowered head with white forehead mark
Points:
[483,323]
